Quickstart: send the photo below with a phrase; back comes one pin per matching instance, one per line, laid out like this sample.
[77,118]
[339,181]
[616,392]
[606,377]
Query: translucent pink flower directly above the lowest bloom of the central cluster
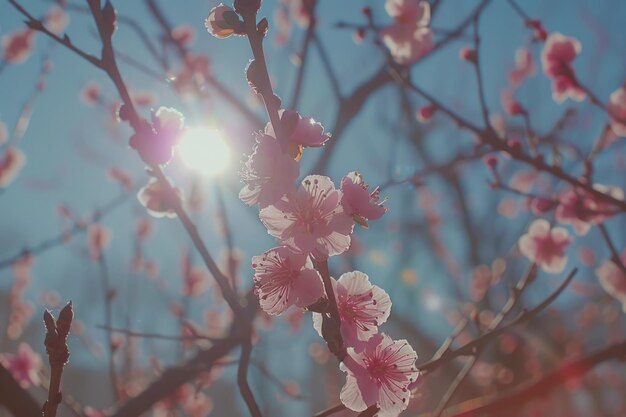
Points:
[362,308]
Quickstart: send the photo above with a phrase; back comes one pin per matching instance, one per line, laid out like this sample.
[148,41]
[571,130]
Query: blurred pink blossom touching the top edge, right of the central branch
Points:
[409,37]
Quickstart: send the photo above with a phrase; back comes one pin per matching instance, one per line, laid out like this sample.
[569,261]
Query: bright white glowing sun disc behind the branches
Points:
[204,151]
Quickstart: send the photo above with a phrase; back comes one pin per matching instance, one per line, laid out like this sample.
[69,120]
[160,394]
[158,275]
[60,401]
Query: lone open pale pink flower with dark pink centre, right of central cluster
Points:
[545,246]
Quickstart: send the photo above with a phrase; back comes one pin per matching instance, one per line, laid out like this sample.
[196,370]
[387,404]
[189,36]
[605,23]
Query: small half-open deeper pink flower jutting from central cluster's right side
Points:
[358,202]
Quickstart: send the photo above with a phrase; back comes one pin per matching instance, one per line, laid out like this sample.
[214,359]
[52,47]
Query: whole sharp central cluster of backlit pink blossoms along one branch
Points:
[312,223]
